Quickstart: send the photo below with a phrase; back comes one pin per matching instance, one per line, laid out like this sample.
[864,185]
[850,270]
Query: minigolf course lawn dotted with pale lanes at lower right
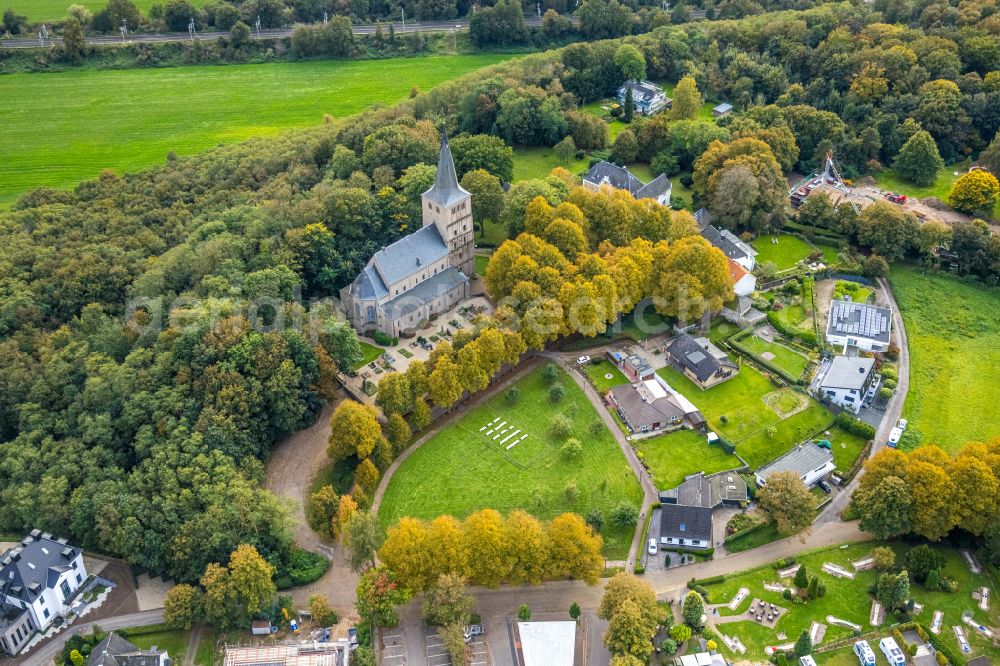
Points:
[849,600]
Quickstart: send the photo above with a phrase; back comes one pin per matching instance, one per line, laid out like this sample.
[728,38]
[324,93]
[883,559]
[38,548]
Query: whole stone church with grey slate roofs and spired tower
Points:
[424,273]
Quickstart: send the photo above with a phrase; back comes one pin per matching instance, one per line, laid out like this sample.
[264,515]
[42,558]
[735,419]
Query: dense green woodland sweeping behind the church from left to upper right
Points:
[160,331]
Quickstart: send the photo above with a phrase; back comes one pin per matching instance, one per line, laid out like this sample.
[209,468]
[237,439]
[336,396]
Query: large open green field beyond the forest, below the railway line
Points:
[130,119]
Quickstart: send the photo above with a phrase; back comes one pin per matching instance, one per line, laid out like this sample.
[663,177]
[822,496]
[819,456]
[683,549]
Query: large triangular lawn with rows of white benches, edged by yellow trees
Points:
[461,470]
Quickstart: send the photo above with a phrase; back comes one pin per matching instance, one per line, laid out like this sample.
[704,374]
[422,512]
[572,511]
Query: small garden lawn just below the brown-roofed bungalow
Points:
[673,456]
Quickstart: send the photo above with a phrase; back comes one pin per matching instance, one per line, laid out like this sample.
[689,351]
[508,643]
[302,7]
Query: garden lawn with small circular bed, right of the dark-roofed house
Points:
[740,401]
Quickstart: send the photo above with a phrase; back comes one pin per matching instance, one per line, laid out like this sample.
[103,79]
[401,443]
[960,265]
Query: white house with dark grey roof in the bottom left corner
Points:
[38,579]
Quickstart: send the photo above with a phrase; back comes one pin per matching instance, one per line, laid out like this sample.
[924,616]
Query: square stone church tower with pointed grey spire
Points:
[449,208]
